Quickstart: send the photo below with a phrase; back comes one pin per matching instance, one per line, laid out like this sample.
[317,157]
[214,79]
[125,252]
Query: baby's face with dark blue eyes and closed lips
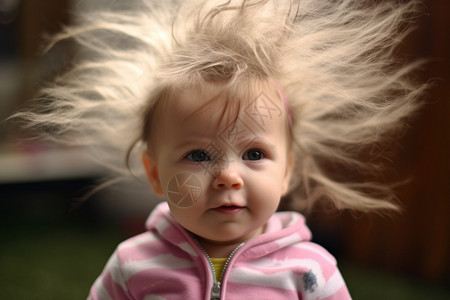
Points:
[222,176]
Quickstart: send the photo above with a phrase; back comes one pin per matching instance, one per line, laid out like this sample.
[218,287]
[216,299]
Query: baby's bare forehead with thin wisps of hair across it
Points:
[215,112]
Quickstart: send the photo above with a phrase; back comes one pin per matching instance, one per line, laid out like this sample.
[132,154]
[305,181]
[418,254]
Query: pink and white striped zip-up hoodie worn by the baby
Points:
[166,263]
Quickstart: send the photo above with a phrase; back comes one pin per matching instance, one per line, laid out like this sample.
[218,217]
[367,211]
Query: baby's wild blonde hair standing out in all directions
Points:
[332,59]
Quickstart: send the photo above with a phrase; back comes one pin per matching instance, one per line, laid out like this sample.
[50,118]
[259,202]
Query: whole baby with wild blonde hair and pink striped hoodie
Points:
[236,104]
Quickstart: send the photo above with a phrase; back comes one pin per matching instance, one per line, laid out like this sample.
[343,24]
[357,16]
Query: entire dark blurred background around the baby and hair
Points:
[53,244]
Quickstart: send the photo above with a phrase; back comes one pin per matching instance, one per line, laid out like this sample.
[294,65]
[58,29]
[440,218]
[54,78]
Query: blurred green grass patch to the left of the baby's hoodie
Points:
[52,264]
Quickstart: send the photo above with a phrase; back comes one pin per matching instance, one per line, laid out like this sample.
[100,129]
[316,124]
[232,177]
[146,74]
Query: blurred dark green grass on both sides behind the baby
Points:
[62,263]
